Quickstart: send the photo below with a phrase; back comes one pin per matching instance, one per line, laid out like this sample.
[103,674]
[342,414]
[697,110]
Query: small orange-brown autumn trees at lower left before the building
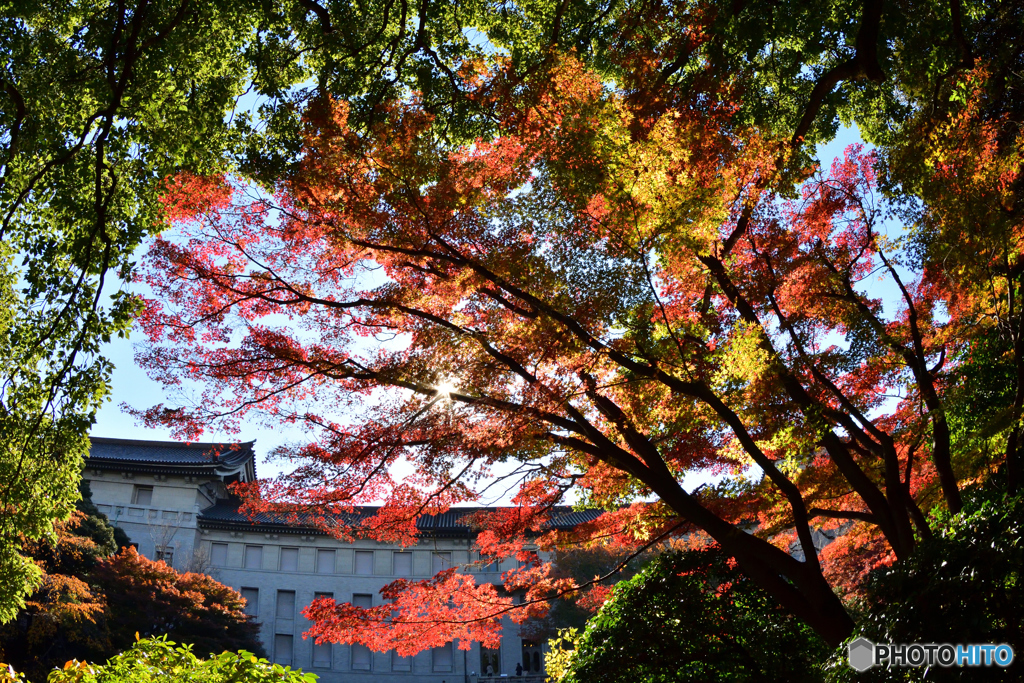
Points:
[98,594]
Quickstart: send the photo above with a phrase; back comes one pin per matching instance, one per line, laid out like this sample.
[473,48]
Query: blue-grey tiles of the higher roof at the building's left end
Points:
[169,453]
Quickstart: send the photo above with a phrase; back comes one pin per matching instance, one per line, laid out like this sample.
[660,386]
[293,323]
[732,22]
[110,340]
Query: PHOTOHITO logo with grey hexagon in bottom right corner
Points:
[865,655]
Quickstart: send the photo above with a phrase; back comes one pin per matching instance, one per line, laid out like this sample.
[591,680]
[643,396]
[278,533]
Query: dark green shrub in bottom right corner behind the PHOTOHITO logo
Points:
[964,586]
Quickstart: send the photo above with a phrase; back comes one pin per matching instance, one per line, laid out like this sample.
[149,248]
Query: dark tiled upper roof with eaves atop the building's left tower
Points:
[221,460]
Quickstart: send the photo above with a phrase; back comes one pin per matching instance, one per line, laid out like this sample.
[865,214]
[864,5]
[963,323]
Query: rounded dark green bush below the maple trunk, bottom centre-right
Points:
[692,617]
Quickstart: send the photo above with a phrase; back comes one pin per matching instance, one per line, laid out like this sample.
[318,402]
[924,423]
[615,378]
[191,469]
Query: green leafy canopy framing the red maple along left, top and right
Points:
[101,104]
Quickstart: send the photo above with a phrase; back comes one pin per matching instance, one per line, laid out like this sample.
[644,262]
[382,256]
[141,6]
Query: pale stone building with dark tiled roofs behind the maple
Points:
[173,500]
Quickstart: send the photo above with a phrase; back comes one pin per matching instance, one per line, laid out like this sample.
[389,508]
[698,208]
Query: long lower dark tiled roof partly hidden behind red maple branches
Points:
[226,516]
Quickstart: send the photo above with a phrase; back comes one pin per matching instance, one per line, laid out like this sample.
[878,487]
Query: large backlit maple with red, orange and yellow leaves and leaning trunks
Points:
[629,283]
